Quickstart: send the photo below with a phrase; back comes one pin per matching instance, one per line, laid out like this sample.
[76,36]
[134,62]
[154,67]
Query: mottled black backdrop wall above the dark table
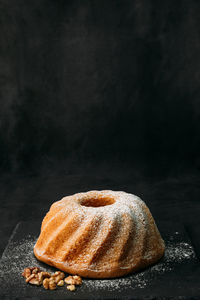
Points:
[87,81]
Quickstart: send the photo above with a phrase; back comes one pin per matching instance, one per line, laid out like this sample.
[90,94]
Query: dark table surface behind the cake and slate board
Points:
[171,198]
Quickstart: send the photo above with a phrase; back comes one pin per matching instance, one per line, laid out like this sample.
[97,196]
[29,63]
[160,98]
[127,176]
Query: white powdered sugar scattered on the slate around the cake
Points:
[20,255]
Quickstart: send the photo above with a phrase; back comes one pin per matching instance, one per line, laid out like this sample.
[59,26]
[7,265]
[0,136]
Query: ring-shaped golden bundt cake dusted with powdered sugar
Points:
[99,234]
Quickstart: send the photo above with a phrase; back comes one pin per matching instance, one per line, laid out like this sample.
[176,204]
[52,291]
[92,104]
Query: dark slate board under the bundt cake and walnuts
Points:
[177,274]
